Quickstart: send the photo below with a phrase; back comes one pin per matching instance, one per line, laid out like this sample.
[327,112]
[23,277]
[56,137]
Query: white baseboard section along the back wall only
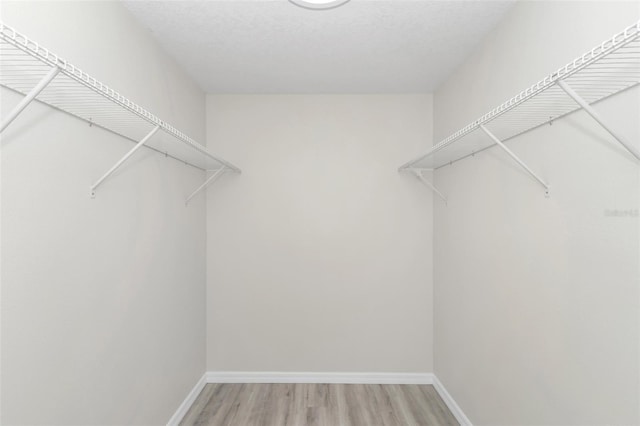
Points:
[346,378]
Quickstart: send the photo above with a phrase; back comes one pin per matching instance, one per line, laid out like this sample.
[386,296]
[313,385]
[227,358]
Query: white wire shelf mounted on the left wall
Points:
[24,64]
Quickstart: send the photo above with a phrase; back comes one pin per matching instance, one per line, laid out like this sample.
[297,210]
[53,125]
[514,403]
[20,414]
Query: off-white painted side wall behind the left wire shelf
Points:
[103,300]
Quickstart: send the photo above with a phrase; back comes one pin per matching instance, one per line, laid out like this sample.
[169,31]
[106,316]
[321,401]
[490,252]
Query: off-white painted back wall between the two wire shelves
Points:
[327,264]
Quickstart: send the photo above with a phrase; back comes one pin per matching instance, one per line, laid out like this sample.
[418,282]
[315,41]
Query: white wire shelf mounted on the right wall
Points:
[607,69]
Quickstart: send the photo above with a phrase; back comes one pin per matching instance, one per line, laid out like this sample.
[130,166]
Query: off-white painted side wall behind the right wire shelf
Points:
[536,300]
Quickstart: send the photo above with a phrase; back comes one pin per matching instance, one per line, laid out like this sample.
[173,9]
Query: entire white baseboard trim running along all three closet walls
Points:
[344,378]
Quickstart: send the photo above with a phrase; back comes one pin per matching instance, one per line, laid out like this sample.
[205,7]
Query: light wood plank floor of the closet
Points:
[318,404]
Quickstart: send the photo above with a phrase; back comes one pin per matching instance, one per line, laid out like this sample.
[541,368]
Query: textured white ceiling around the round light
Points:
[273,46]
